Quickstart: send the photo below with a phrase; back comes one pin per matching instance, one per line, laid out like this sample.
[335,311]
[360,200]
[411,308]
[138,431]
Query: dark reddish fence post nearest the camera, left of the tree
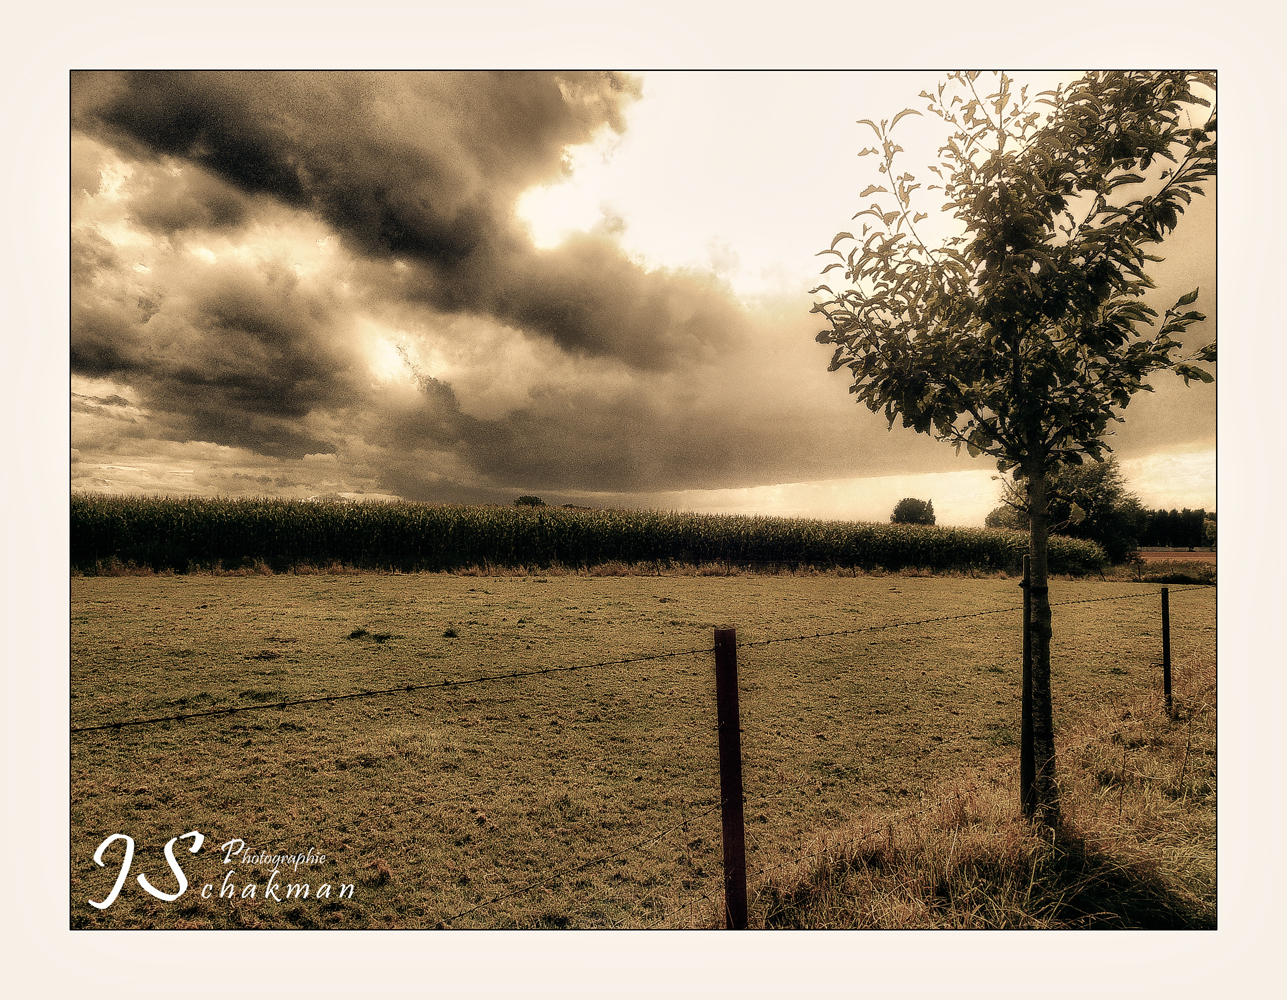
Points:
[730,778]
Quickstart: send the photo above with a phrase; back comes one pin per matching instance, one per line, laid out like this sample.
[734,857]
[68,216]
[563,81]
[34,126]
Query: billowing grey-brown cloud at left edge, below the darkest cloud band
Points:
[236,355]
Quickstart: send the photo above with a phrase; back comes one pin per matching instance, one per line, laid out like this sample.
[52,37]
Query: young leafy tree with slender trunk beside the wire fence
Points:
[1019,338]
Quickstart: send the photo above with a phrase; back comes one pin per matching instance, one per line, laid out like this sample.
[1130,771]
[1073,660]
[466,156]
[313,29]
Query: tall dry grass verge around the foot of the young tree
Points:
[1136,847]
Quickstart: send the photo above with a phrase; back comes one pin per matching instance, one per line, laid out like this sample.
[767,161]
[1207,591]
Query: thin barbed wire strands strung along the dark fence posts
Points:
[701,811]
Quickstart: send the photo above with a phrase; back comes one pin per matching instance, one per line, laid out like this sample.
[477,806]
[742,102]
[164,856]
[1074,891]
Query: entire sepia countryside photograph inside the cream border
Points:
[540,501]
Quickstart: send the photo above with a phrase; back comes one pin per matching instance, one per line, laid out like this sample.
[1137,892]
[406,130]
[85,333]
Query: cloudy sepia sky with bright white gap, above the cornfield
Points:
[465,288]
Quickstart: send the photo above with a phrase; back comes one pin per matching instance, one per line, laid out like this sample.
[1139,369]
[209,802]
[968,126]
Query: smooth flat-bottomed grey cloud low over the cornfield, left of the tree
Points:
[729,424]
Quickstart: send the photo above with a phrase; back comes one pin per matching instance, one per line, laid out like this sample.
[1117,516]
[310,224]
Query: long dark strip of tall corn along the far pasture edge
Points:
[199,533]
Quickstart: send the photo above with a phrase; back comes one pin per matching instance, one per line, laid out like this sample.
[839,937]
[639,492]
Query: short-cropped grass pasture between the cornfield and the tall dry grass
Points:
[433,804]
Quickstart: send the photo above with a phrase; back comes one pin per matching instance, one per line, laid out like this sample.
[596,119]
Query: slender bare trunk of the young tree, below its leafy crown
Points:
[1044,802]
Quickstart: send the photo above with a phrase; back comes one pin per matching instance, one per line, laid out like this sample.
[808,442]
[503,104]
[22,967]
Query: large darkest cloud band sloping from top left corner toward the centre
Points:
[419,168]
